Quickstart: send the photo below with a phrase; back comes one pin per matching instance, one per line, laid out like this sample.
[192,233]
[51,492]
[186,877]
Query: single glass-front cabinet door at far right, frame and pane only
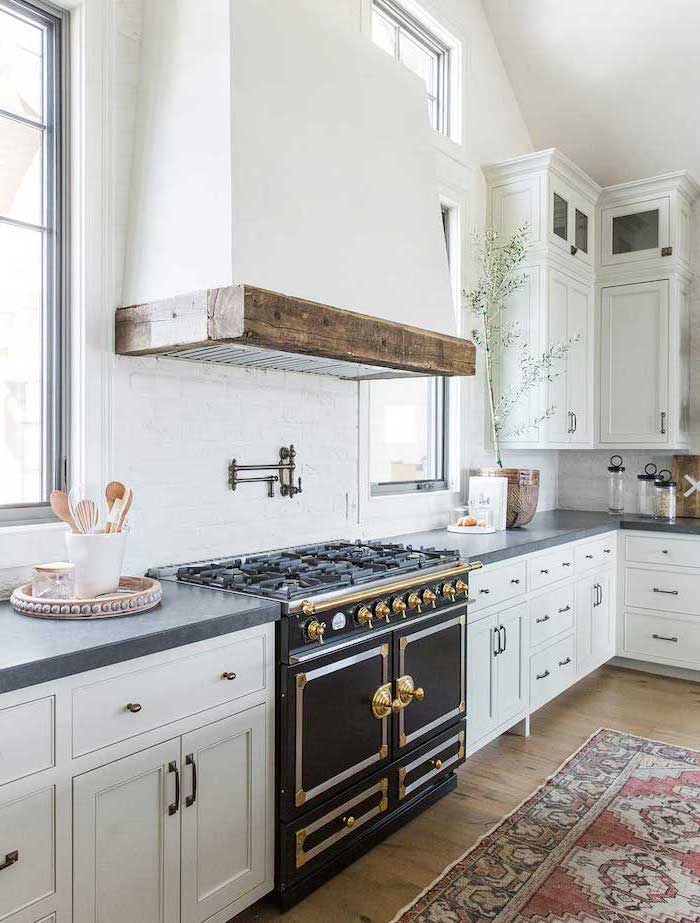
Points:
[637,231]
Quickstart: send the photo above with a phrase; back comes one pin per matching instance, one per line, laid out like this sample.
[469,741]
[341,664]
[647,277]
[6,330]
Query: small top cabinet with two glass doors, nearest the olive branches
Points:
[555,198]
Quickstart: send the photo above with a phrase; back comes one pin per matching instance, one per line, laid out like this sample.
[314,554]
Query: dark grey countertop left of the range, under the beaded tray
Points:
[38,650]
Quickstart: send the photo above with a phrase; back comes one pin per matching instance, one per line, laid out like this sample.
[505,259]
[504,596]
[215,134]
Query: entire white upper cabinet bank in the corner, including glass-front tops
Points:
[610,270]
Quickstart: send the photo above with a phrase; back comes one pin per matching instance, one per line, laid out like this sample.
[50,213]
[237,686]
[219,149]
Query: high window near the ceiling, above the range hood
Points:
[407,40]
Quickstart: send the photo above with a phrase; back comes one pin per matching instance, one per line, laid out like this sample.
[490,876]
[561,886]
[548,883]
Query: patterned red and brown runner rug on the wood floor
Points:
[613,836]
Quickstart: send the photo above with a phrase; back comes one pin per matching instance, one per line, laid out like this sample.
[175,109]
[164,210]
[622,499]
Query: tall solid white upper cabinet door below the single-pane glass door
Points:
[635,388]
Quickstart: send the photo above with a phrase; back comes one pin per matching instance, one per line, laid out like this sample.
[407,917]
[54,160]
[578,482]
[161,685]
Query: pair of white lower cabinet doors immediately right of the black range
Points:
[496,684]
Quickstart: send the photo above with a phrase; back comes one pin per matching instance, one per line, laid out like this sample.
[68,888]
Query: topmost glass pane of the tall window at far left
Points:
[21,45]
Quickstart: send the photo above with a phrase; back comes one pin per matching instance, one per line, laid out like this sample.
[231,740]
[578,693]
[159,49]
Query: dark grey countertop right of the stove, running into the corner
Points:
[556,527]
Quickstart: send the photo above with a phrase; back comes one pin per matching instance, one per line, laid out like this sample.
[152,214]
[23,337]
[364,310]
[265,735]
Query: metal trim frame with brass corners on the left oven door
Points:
[303,796]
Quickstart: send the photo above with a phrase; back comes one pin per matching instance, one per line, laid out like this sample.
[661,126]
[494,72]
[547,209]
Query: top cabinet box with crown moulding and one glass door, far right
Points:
[647,223]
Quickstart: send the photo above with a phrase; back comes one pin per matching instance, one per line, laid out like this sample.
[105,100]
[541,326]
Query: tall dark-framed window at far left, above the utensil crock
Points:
[32,255]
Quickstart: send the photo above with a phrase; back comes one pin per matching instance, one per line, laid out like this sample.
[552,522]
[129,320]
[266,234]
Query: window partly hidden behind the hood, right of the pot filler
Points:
[408,427]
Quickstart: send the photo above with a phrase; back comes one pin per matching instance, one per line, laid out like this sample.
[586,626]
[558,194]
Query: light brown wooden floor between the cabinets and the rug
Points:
[492,783]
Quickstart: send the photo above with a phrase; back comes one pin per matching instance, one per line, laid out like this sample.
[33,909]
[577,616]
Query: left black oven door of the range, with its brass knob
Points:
[335,719]
